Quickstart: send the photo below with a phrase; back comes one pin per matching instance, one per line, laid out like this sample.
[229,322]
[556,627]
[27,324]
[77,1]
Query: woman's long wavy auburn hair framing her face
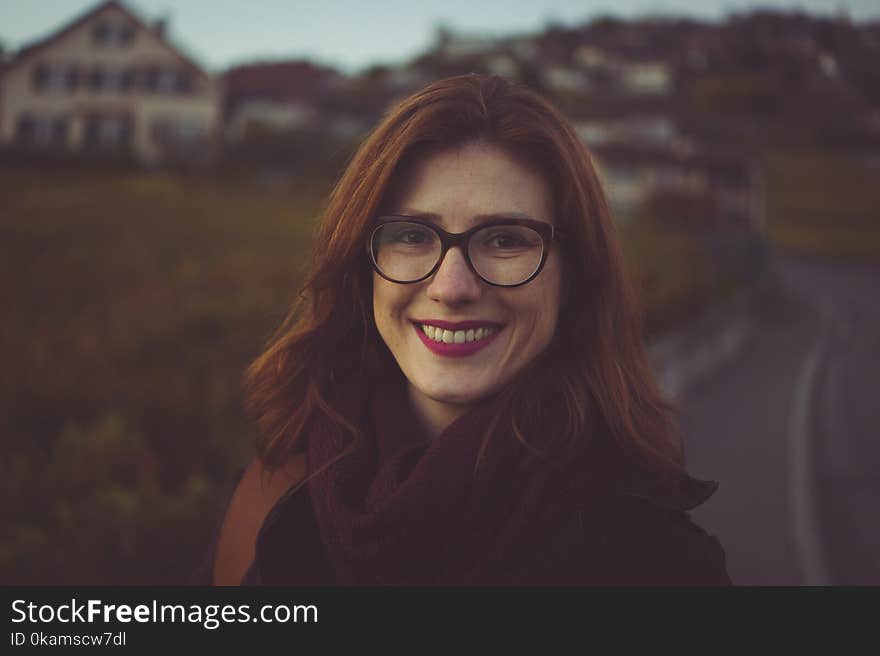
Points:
[594,378]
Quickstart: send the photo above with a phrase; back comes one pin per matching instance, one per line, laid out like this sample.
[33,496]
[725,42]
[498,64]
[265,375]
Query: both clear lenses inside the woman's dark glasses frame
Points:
[501,254]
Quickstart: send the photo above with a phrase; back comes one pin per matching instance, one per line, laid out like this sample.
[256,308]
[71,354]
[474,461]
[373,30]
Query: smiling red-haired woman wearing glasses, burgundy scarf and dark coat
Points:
[461,394]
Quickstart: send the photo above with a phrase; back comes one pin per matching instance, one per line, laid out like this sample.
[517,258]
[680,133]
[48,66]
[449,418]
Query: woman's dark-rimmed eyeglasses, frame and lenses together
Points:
[501,252]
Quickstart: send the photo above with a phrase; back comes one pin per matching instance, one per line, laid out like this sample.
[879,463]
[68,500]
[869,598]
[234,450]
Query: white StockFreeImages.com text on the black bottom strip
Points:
[211,616]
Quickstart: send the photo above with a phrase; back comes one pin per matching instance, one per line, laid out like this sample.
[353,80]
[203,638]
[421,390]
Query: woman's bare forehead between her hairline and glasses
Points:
[458,185]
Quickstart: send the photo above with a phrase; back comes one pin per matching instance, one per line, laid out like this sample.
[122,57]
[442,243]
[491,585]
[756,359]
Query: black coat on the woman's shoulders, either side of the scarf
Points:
[628,537]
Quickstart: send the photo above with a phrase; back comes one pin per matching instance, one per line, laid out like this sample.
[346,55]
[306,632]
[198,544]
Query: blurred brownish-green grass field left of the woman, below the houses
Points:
[131,305]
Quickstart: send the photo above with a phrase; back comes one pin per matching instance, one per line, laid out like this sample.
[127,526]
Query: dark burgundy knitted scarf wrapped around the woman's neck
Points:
[402,511]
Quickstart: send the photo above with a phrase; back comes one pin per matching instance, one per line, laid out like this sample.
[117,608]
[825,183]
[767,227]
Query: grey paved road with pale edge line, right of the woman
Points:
[790,429]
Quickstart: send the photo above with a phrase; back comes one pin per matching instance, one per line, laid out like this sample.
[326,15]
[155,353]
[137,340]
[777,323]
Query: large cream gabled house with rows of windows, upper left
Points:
[108,80]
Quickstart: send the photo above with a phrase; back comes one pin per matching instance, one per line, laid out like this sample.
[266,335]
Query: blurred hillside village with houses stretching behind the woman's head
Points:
[671,109]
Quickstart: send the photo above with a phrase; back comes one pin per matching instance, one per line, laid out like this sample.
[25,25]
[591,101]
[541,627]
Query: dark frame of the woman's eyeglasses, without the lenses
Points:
[548,233]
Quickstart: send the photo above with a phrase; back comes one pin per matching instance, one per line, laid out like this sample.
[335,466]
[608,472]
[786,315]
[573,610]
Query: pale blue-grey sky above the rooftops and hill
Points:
[353,34]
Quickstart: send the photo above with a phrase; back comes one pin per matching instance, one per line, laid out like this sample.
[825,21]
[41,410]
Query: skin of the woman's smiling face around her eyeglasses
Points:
[458,187]
